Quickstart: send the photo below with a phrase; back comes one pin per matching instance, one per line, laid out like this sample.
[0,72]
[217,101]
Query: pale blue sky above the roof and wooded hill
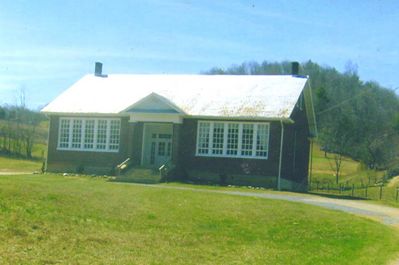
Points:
[46,46]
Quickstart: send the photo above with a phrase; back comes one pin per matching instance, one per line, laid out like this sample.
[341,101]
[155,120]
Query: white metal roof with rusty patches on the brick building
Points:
[267,96]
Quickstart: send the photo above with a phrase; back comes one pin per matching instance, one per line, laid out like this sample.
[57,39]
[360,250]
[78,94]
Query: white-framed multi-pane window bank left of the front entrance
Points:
[89,134]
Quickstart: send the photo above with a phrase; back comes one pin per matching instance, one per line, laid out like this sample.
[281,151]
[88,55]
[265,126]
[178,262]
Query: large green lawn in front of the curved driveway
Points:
[51,219]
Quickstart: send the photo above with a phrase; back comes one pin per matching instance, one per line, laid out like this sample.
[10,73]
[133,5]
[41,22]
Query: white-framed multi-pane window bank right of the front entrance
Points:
[233,139]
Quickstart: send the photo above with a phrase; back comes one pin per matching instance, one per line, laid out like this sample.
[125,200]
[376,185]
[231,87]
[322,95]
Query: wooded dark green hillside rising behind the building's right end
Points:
[358,119]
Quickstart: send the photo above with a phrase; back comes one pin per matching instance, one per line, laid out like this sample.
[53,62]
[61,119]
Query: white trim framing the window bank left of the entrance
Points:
[83,136]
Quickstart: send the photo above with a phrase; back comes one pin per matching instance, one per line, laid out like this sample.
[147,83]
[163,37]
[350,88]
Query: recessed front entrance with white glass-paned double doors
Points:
[157,144]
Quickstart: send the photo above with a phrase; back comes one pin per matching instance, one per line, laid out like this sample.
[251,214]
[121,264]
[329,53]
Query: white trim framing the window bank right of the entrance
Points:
[239,147]
